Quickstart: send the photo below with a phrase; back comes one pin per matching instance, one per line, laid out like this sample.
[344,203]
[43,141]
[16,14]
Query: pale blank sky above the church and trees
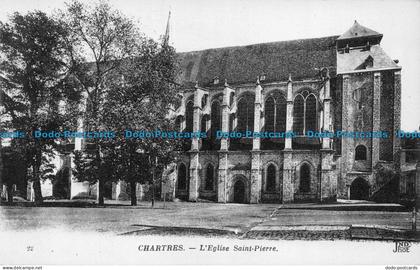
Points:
[197,24]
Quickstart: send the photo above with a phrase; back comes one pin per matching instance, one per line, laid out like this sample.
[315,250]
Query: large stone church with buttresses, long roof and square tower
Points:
[335,83]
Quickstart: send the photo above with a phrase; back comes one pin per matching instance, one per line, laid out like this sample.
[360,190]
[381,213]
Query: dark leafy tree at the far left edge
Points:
[34,67]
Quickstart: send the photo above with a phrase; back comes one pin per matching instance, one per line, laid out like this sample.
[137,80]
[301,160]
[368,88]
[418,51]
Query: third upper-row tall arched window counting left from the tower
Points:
[245,113]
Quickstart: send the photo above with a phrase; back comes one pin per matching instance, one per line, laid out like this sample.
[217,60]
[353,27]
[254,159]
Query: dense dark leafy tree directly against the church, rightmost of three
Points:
[142,96]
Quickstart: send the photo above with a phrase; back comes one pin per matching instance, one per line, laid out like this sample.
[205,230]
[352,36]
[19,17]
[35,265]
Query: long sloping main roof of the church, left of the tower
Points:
[243,64]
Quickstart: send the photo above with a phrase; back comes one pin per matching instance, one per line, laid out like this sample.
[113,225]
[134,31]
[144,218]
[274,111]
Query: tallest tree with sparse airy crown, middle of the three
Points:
[103,38]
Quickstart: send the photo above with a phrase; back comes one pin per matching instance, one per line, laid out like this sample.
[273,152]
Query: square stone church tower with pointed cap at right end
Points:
[370,85]
